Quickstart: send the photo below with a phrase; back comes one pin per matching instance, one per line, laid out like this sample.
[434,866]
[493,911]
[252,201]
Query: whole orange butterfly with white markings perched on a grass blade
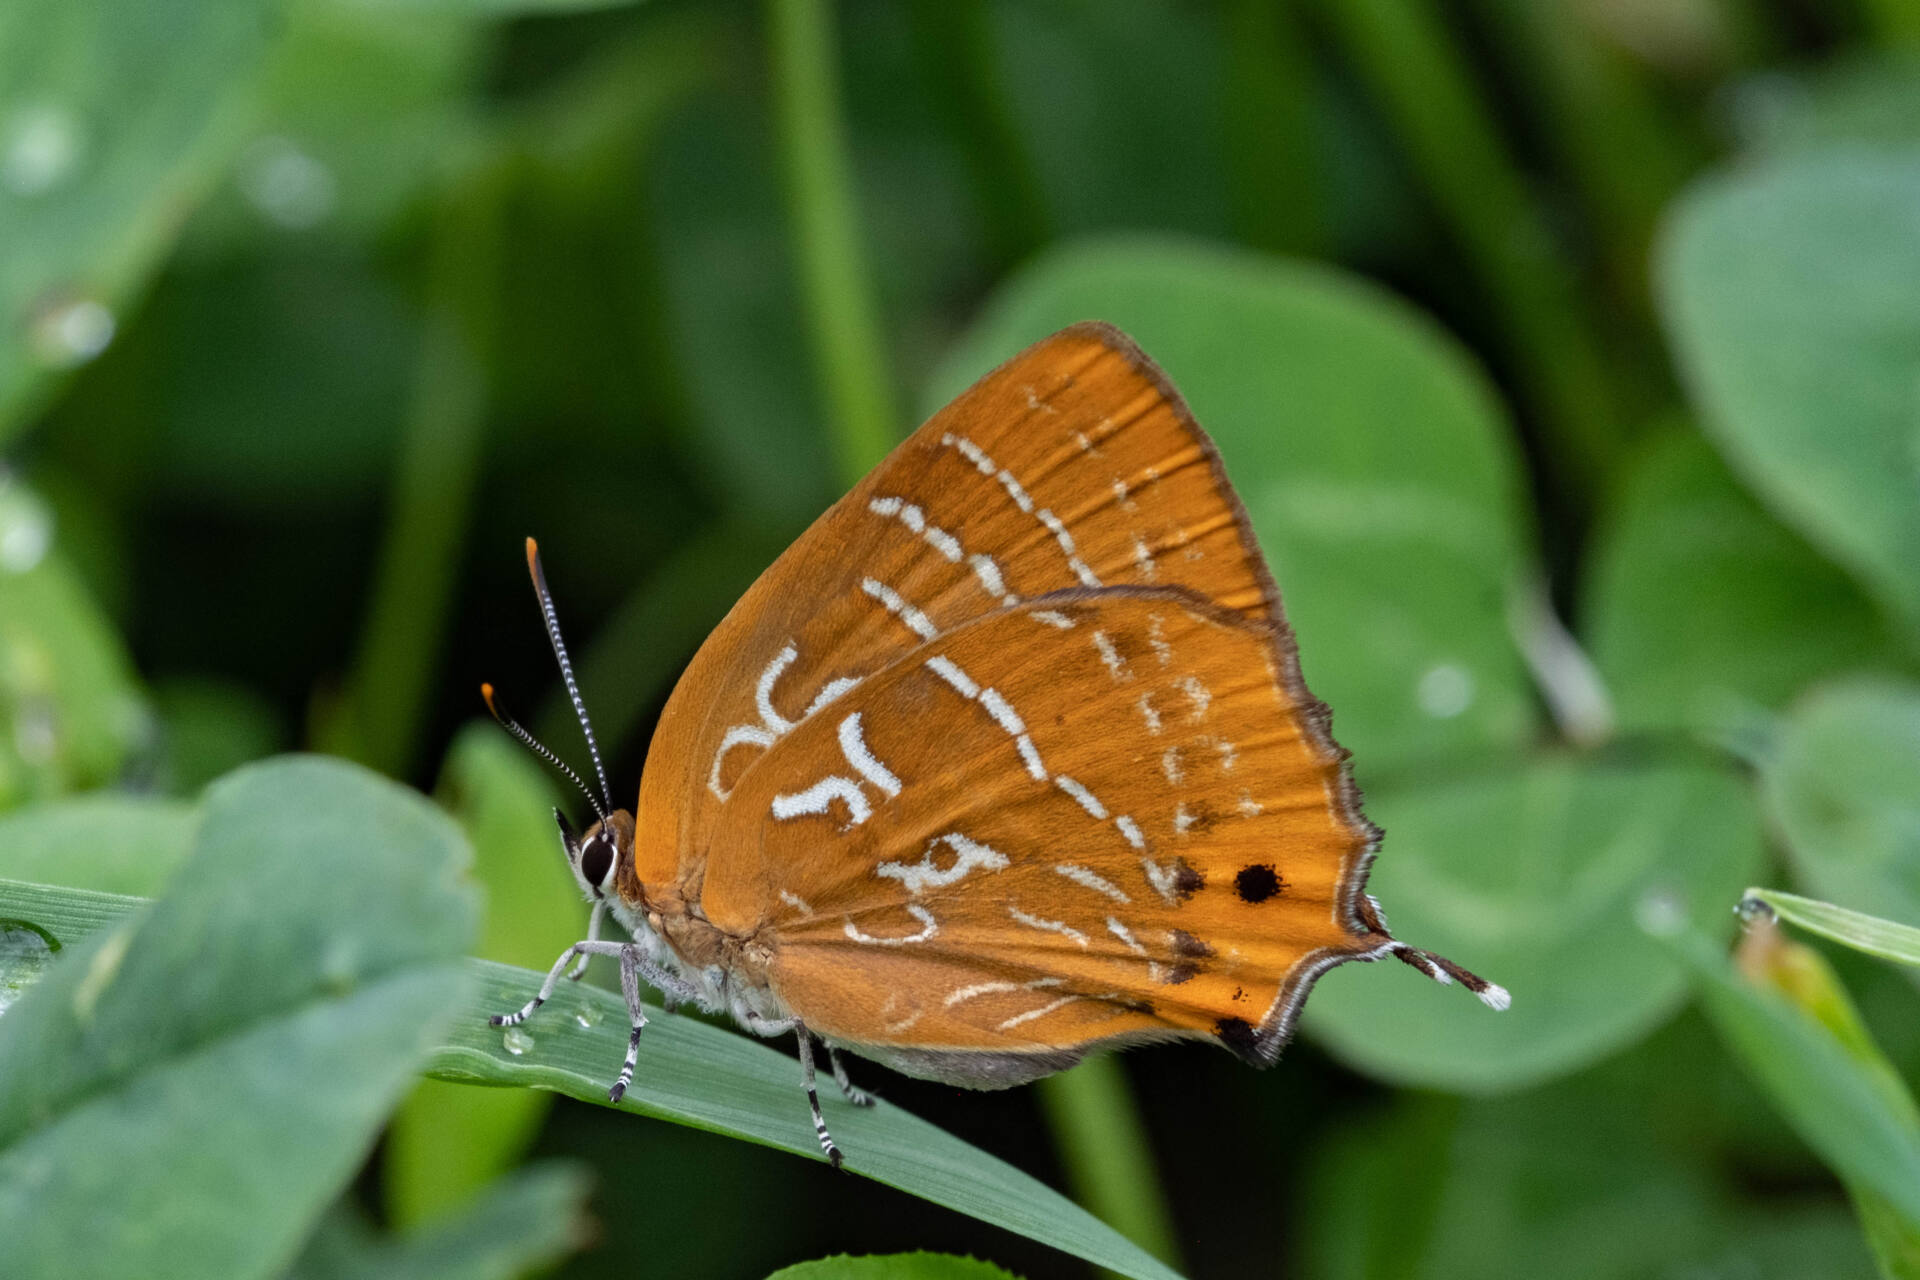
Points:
[1005,761]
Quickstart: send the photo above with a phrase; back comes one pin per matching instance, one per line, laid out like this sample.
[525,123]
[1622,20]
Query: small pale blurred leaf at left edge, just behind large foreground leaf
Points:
[110,841]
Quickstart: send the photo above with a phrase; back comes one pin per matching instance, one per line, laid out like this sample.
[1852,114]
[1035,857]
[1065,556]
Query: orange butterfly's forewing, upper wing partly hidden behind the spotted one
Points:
[1070,467]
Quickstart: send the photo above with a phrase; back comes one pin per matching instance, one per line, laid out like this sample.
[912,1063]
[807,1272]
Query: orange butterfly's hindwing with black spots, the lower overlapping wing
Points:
[1090,818]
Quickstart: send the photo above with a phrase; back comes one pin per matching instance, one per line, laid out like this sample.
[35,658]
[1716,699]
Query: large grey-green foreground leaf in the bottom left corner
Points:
[218,1064]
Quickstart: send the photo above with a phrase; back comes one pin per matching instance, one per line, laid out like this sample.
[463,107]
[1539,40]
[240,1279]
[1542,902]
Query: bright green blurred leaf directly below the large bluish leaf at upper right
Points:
[1700,607]
